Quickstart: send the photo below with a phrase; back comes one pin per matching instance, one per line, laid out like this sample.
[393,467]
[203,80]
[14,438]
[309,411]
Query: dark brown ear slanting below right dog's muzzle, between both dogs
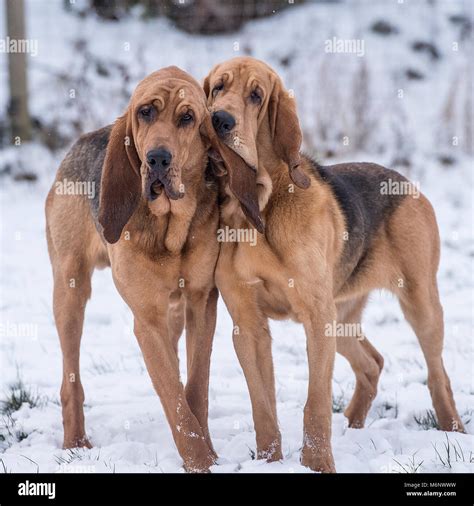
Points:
[242,178]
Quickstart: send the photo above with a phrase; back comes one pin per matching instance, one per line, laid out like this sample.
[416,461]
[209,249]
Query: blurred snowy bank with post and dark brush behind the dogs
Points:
[389,79]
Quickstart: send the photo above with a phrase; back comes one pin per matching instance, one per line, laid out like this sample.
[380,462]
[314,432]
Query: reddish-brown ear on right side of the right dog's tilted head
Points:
[286,132]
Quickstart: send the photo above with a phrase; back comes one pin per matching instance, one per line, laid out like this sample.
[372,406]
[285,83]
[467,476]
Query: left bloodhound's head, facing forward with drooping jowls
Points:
[157,149]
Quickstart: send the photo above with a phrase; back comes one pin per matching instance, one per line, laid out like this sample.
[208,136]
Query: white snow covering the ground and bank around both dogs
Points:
[124,418]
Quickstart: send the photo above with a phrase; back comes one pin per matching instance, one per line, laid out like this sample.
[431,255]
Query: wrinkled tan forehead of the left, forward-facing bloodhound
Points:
[167,93]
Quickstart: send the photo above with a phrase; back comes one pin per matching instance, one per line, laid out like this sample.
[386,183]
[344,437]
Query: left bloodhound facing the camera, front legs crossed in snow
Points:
[150,219]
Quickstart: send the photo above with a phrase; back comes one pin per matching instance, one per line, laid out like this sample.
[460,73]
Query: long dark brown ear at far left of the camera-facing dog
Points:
[120,186]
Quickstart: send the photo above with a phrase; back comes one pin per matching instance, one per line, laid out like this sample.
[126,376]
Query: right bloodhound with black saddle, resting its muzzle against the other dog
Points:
[328,236]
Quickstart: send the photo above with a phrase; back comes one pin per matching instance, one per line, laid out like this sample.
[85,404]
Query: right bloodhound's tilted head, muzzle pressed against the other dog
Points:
[252,112]
